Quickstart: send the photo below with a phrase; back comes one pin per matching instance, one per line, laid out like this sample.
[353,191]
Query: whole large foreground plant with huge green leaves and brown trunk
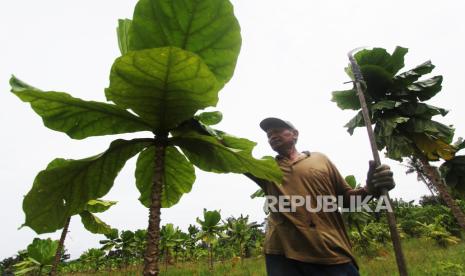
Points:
[176,57]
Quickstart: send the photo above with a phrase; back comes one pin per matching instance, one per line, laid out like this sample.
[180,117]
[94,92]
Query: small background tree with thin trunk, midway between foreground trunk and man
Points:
[210,231]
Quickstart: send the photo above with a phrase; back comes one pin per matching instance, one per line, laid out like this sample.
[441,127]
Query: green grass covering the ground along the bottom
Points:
[423,258]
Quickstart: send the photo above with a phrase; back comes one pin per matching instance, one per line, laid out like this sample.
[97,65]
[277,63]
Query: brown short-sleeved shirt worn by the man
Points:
[313,237]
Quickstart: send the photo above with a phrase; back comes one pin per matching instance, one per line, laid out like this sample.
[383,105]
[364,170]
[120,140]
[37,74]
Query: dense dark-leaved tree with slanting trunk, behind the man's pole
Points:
[404,124]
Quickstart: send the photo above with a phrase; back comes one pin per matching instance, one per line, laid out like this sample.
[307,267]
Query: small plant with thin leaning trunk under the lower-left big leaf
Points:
[91,222]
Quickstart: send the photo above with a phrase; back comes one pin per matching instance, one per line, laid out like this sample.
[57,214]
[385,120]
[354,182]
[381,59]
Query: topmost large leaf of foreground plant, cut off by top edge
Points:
[205,27]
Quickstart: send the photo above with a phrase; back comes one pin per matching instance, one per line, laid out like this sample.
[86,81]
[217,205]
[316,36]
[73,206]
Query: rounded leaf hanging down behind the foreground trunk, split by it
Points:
[179,176]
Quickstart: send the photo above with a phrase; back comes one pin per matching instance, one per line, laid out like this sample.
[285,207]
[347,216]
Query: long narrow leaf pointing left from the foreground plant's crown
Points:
[77,118]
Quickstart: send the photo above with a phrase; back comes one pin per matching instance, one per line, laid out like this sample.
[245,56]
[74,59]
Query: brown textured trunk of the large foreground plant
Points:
[152,252]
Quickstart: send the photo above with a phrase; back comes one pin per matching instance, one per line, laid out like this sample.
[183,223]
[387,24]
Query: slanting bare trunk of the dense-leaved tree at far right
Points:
[438,183]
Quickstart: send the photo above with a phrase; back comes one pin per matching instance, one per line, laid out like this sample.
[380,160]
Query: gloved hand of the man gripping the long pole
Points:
[379,178]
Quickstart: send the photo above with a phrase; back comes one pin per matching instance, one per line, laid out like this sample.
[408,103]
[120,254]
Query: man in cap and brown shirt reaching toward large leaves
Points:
[299,241]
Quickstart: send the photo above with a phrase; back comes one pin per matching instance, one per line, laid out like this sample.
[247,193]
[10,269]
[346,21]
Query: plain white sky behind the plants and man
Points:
[292,57]
